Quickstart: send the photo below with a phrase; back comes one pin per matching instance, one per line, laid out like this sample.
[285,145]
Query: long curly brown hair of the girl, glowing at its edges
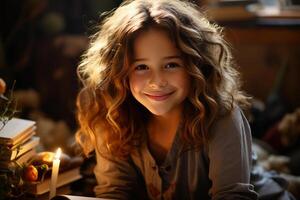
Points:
[106,108]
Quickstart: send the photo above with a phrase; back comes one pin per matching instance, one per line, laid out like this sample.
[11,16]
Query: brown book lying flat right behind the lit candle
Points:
[63,178]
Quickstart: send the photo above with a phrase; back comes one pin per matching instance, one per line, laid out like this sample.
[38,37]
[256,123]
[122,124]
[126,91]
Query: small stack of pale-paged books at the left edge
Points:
[17,142]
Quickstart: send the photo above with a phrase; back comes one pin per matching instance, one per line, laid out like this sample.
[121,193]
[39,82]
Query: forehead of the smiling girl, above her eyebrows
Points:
[154,42]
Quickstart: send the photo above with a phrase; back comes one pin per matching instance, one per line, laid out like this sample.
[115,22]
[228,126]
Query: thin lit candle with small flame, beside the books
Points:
[55,169]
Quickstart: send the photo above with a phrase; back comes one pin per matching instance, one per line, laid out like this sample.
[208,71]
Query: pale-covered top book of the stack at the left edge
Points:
[15,131]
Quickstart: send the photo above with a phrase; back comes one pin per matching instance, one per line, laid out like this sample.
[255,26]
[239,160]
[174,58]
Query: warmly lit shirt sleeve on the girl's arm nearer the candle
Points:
[116,178]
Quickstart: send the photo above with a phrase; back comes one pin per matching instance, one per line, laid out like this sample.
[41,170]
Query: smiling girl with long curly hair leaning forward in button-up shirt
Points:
[160,105]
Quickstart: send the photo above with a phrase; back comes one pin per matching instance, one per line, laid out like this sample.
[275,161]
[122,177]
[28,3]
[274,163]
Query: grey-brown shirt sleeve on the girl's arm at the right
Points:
[229,153]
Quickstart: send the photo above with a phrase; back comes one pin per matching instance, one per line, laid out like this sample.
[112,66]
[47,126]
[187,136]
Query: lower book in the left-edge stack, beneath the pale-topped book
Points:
[7,153]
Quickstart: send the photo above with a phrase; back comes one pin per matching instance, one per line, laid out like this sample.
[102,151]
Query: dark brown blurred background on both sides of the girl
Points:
[41,42]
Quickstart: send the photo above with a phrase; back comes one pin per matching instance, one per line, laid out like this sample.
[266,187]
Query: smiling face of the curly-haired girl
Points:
[158,78]
